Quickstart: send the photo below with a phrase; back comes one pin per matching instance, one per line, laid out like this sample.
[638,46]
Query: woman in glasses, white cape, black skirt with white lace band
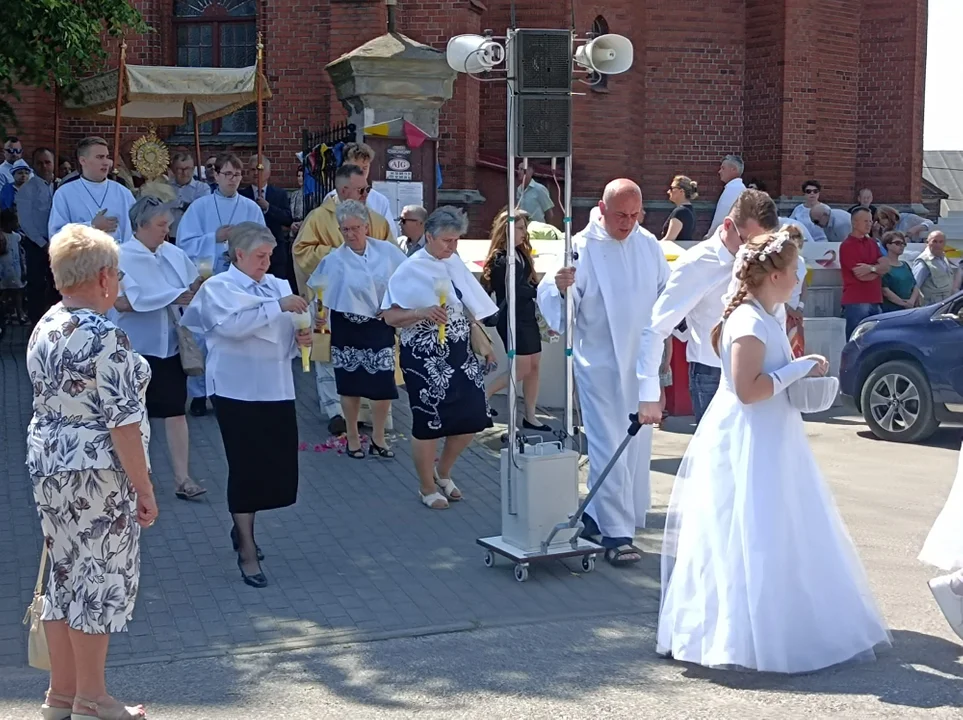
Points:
[354,278]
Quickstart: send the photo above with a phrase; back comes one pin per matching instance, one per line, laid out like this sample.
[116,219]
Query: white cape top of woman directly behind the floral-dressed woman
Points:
[152,281]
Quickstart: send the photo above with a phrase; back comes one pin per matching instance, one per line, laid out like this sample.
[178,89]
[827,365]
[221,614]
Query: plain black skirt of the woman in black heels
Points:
[261,444]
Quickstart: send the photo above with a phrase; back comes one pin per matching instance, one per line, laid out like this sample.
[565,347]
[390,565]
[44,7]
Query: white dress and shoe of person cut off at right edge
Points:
[944,549]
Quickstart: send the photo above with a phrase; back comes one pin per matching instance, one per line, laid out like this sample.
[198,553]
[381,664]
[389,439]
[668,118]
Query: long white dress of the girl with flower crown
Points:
[758,570]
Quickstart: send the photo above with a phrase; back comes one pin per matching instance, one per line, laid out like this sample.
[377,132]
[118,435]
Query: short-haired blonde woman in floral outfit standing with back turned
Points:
[87,456]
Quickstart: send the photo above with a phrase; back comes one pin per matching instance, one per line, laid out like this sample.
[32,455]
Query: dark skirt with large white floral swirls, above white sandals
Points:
[445,383]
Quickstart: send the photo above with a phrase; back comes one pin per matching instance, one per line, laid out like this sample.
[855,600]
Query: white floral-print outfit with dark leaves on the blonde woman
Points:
[86,380]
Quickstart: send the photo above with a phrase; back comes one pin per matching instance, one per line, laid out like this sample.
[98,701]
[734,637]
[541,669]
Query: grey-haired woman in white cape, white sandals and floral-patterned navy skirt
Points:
[434,299]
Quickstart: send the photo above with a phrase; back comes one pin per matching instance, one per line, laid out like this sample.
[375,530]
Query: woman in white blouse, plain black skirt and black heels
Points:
[245,317]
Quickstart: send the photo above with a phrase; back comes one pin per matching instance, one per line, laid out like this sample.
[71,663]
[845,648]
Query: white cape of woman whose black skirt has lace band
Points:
[354,283]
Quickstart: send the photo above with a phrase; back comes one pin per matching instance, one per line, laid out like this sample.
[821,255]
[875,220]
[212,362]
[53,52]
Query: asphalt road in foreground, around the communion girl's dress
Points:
[605,667]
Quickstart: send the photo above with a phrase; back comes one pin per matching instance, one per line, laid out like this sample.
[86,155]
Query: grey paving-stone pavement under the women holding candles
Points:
[358,557]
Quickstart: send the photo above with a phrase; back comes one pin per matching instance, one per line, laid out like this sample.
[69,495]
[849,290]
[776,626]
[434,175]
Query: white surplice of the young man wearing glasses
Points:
[197,230]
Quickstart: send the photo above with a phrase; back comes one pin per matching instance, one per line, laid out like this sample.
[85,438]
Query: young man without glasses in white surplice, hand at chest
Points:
[91,199]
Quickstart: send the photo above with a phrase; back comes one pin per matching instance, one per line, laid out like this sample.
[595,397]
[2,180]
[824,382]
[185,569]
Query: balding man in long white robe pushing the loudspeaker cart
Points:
[618,273]
